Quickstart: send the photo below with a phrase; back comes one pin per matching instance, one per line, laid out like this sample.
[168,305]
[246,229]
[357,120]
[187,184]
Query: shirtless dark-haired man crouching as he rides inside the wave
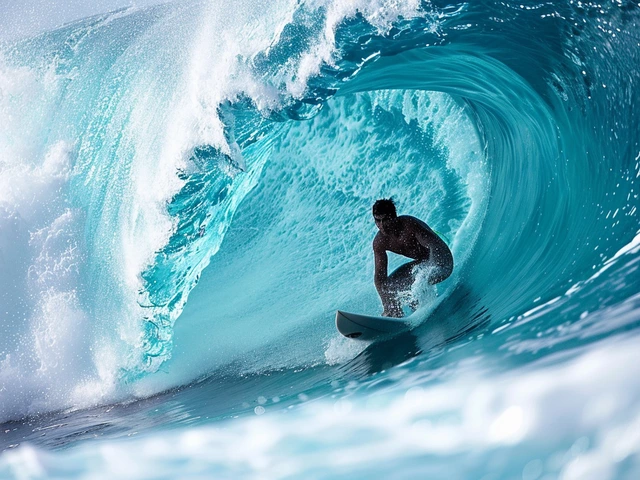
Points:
[410,237]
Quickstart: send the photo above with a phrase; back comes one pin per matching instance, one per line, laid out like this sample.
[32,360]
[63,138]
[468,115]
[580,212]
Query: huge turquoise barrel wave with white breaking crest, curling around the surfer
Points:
[141,159]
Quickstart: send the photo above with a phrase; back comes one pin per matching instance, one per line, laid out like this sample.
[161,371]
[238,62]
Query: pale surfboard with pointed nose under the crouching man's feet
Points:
[366,327]
